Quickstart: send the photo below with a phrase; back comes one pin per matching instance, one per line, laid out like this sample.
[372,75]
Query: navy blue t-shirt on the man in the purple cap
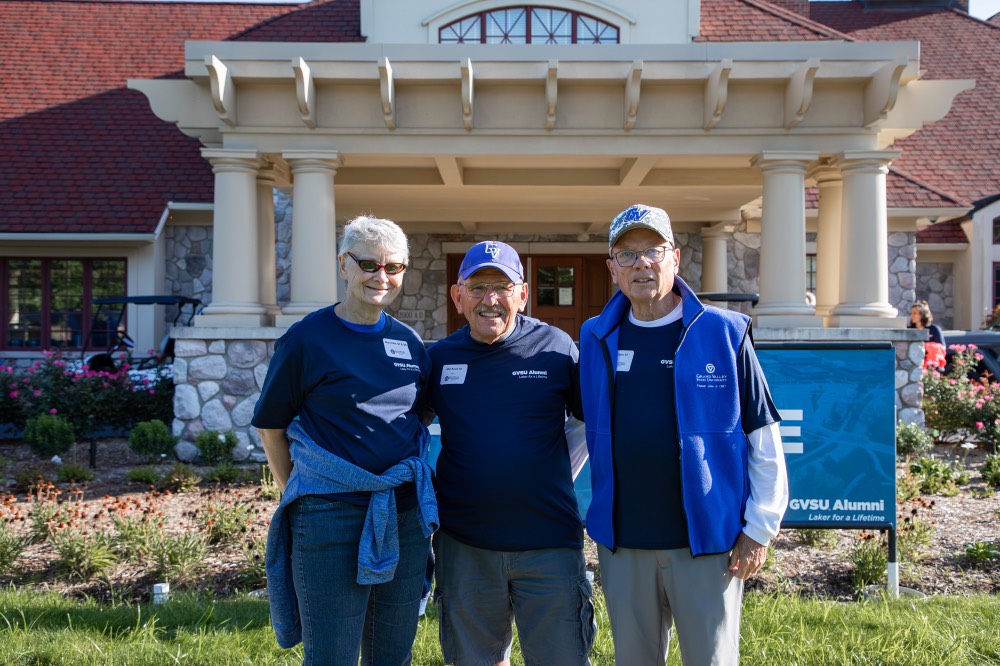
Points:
[503,476]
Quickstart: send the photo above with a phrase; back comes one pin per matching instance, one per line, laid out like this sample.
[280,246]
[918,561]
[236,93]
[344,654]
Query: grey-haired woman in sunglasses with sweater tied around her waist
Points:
[338,418]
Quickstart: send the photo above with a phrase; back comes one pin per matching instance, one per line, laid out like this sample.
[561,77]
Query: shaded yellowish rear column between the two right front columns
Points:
[831,192]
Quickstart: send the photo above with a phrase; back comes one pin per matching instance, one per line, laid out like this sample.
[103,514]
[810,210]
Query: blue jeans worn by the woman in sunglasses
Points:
[340,618]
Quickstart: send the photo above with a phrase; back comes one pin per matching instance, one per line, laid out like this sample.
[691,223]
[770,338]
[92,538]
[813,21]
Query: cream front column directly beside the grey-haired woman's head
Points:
[314,234]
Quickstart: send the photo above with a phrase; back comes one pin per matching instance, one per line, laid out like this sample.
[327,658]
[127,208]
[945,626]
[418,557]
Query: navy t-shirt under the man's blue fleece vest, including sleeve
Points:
[648,509]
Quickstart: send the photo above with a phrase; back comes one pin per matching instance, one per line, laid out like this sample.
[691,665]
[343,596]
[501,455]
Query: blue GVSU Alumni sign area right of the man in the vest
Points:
[837,407]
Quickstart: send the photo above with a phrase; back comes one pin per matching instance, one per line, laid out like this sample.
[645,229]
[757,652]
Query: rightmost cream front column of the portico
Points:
[864,243]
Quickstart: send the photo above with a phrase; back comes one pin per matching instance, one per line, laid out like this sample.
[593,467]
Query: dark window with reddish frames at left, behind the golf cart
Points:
[46,303]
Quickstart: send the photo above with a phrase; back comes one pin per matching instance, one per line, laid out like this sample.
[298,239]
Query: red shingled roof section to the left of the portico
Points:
[83,153]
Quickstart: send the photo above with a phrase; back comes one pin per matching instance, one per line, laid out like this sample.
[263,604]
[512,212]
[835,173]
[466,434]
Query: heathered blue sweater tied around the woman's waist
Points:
[316,471]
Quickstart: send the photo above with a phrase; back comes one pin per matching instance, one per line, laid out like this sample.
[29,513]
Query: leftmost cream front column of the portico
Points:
[235,283]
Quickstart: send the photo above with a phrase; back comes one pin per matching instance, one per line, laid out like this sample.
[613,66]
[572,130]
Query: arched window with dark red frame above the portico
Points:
[528,25]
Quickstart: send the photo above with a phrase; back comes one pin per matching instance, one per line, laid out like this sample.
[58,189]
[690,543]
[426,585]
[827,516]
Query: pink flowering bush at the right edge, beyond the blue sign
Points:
[957,405]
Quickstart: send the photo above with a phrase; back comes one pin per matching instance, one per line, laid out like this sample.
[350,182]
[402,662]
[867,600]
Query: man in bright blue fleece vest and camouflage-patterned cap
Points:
[688,475]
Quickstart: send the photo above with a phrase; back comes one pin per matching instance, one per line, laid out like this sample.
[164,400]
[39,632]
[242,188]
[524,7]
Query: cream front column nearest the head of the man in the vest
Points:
[783,242]
